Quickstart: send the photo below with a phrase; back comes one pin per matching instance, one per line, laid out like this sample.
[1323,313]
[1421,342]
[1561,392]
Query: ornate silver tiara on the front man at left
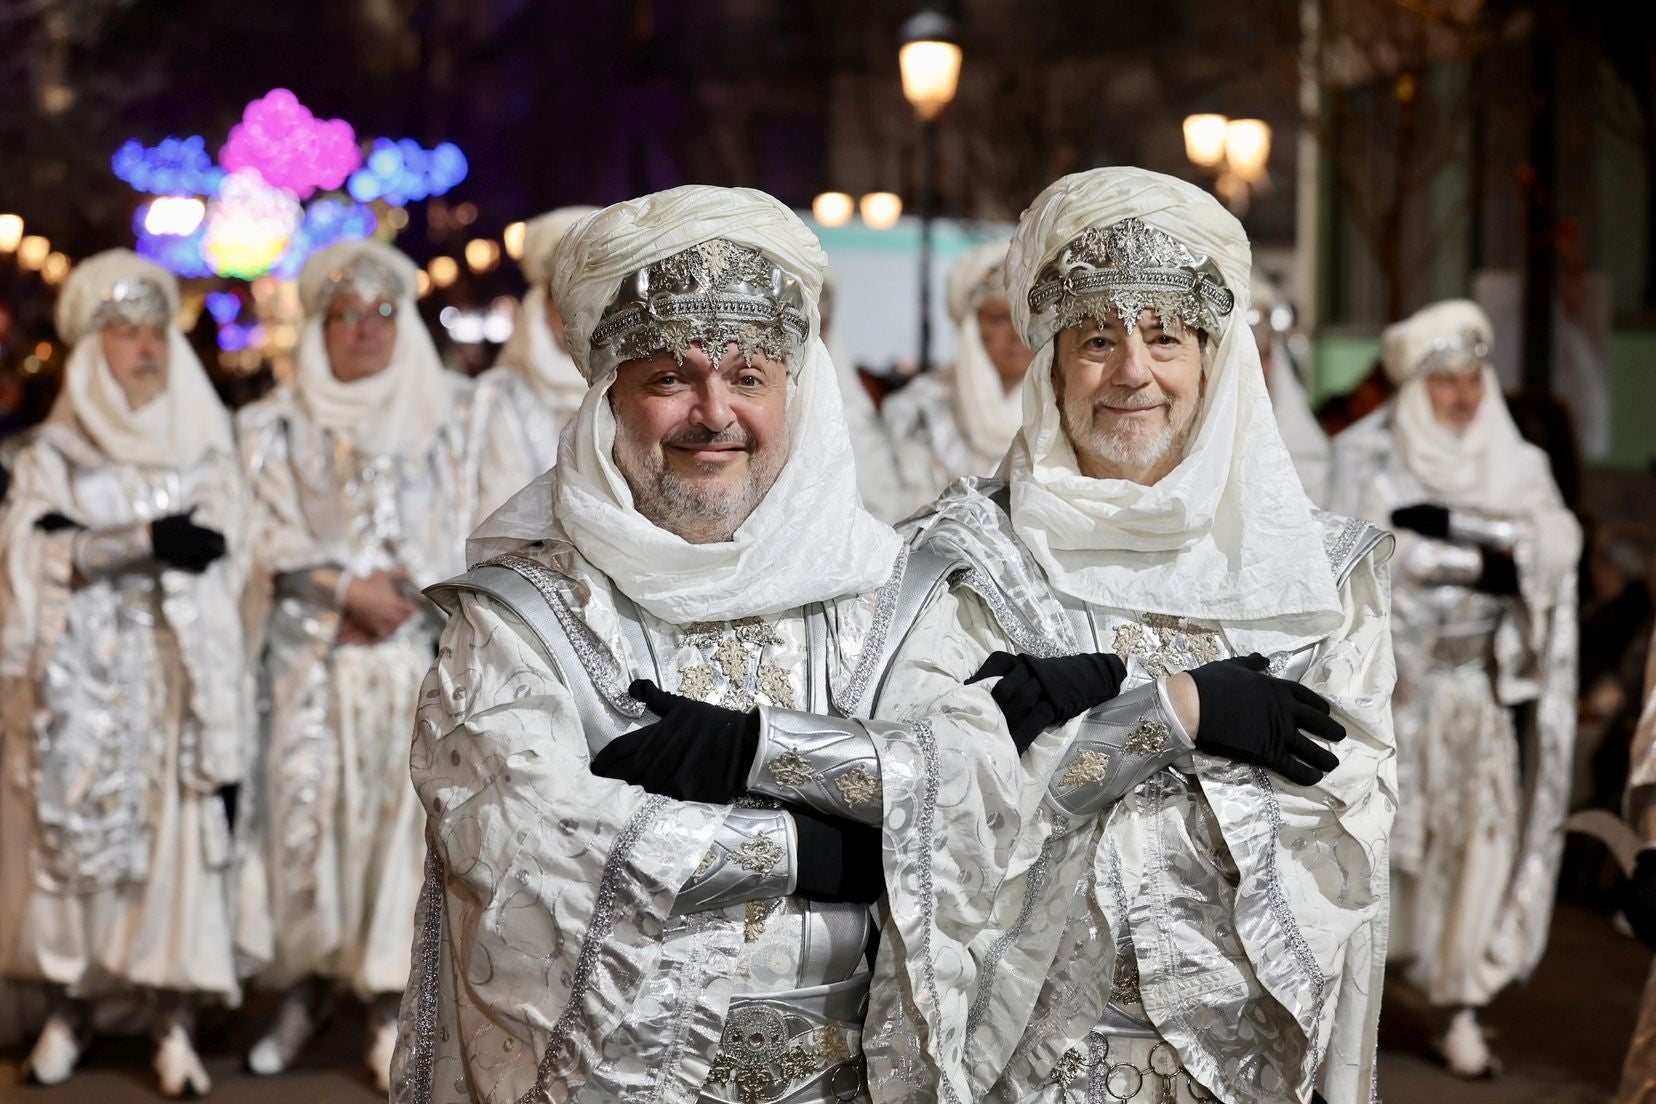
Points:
[716,294]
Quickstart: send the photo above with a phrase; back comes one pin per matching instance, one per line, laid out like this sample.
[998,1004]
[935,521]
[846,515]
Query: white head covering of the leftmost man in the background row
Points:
[180,425]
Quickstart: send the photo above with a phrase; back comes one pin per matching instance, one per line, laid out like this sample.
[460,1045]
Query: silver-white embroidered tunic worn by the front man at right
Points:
[1226,929]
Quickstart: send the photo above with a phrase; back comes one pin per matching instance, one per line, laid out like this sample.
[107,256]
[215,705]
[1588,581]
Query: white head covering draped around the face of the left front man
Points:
[809,540]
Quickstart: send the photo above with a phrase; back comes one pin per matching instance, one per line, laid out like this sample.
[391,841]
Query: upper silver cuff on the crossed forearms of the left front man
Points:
[826,764]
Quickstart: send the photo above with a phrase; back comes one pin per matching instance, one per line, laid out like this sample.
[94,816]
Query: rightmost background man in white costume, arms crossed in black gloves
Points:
[1486,603]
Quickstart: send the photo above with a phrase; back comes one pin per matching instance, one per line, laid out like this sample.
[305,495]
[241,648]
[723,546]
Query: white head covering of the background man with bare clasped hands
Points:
[400,410]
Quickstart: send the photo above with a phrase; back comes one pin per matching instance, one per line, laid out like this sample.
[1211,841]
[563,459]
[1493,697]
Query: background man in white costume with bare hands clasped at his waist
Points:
[362,492]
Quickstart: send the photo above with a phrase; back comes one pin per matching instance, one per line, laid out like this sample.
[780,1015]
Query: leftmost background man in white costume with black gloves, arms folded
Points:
[128,713]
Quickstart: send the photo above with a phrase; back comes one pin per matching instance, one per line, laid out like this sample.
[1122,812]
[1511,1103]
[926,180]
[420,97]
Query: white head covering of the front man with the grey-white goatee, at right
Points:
[1228,535]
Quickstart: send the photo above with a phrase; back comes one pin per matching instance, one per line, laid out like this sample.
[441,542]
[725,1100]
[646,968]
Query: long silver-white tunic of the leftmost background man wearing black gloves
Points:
[128,714]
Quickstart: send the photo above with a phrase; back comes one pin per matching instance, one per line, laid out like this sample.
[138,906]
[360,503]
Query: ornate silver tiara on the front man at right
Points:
[1127,269]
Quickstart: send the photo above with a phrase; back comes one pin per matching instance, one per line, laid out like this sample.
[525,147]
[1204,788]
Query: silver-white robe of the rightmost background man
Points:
[1476,847]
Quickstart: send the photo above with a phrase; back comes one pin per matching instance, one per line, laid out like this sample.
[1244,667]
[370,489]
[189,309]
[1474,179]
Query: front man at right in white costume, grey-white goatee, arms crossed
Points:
[1216,873]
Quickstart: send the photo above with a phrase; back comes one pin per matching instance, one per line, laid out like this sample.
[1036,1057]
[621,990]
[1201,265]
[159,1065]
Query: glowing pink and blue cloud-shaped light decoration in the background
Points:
[393,173]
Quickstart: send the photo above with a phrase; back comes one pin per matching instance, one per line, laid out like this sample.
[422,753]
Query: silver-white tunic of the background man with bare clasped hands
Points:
[340,830]
